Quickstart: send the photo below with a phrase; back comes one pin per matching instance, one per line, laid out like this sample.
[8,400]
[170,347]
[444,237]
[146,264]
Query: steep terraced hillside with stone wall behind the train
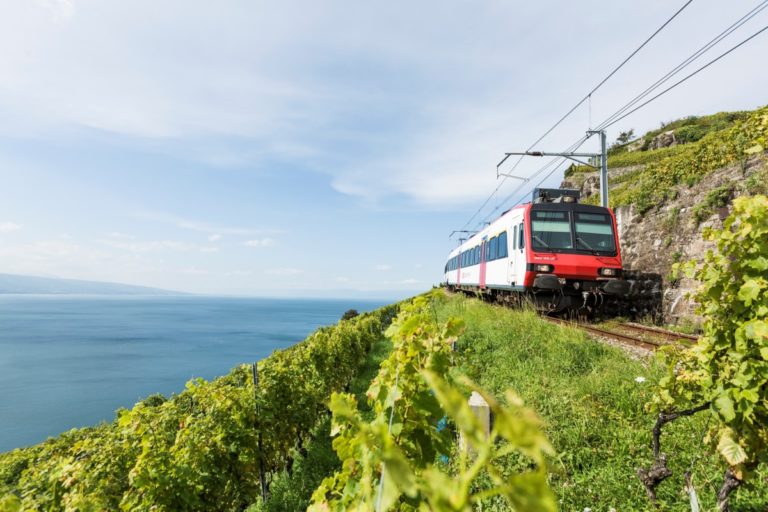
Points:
[666,189]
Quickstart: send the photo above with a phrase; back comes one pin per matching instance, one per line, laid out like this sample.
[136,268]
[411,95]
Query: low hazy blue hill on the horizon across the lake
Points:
[16,284]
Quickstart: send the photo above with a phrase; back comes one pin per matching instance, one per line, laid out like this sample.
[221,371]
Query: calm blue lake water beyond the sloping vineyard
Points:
[72,361]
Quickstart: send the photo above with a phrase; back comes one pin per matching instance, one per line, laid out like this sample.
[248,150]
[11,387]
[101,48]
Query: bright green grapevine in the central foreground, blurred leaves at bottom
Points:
[394,460]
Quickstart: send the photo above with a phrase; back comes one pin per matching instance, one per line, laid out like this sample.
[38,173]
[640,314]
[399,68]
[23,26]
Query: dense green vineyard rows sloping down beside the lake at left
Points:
[203,449]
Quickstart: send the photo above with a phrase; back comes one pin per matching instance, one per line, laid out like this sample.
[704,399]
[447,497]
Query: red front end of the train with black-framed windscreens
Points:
[573,259]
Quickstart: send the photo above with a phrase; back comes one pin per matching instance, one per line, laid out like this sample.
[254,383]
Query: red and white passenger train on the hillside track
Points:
[554,252]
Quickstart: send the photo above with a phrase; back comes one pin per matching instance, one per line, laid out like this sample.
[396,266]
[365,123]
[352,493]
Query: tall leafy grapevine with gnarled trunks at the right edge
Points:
[726,373]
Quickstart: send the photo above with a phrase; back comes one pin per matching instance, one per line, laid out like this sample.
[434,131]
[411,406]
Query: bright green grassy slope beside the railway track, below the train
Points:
[593,407]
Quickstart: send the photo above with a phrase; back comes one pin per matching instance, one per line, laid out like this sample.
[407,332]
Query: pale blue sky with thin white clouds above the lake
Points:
[322,149]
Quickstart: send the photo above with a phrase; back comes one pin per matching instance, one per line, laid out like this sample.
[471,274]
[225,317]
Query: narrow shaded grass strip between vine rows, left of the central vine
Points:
[291,491]
